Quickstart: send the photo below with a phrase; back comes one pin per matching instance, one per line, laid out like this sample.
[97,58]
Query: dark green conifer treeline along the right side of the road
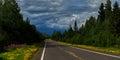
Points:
[103,31]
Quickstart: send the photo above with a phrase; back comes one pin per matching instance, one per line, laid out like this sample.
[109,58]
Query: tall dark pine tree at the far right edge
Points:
[116,19]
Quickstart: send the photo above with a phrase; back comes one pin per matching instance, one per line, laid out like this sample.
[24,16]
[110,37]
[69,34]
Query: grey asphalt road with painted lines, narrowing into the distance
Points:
[57,51]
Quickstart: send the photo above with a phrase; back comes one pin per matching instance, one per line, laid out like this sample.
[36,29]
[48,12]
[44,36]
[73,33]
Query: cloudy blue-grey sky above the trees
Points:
[49,15]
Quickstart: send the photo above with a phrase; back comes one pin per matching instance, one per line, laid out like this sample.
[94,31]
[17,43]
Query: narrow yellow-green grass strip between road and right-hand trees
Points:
[108,50]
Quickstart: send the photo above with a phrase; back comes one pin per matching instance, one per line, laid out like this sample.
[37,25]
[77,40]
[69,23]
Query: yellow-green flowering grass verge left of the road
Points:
[21,53]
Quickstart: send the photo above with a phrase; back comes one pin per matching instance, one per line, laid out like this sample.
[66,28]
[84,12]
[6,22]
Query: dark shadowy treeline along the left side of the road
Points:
[13,29]
